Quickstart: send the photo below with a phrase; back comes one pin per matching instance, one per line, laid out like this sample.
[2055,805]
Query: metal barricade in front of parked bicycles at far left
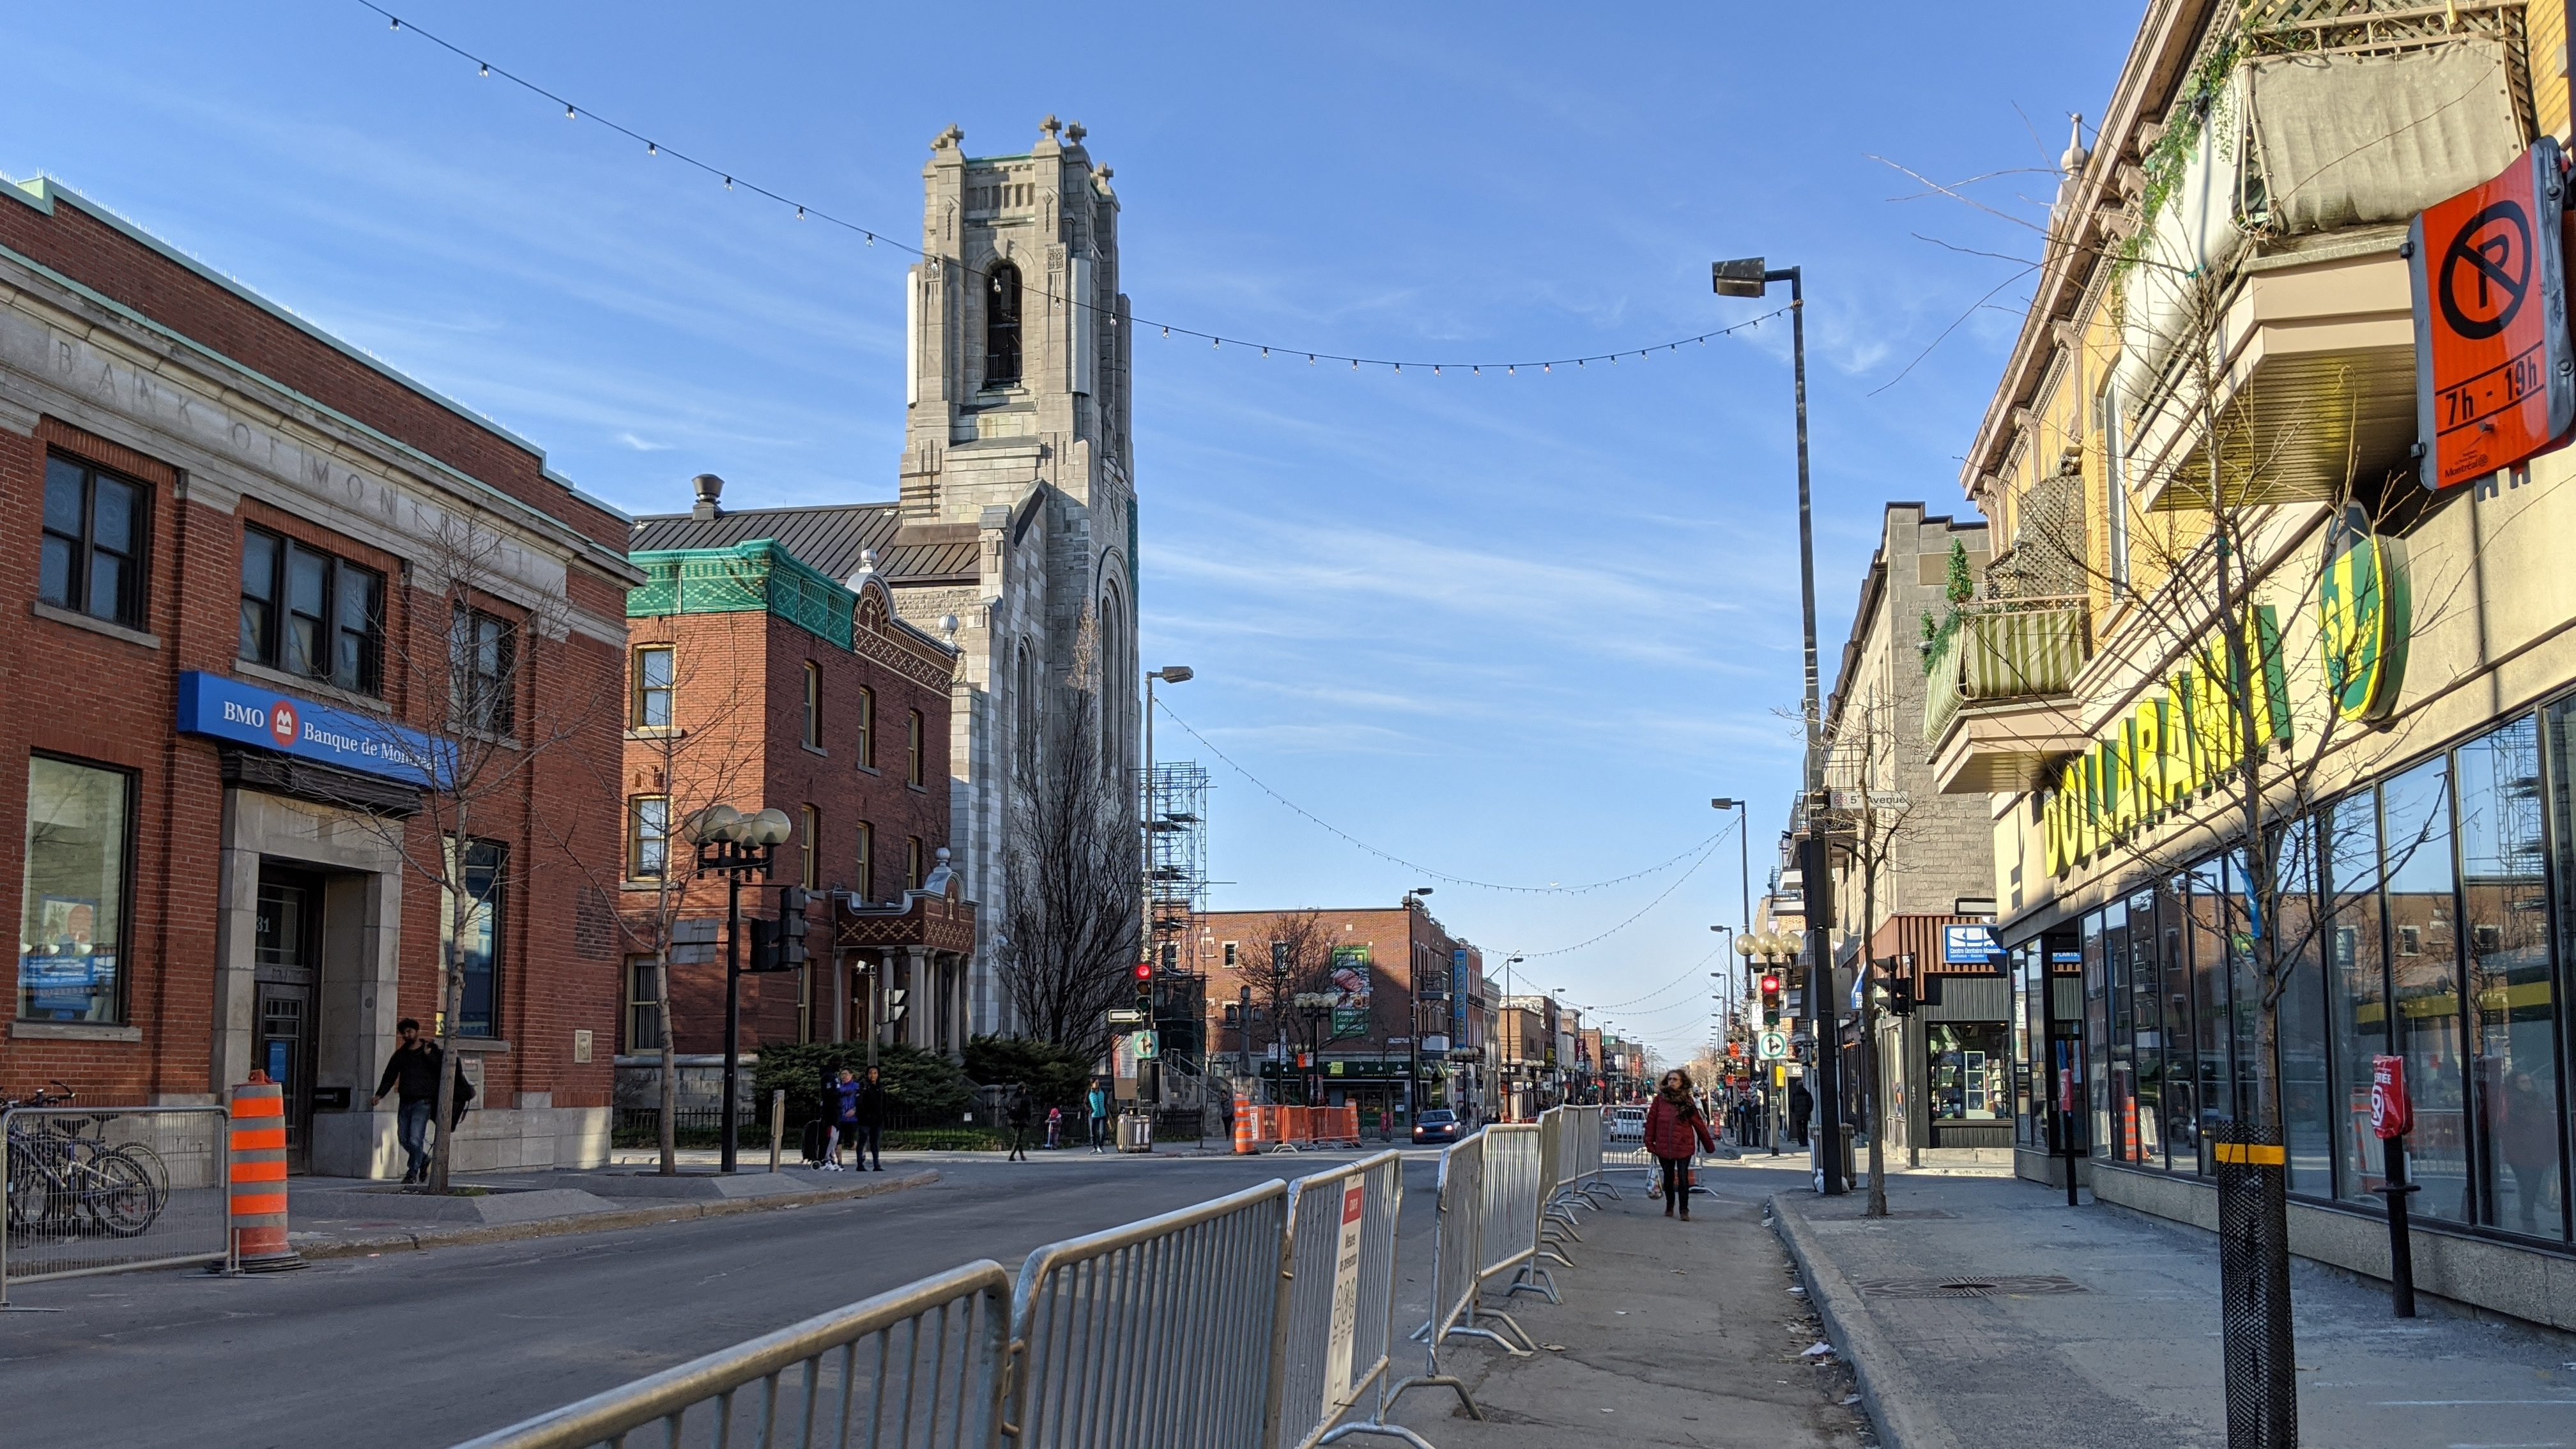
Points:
[107,1190]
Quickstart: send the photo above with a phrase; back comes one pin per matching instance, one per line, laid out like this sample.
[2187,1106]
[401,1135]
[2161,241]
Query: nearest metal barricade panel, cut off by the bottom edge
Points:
[918,1368]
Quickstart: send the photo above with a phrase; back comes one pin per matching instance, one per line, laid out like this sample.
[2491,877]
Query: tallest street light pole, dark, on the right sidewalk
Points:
[1750,277]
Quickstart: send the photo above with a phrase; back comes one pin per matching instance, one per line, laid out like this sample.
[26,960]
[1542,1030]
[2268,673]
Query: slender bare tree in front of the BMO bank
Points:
[480,690]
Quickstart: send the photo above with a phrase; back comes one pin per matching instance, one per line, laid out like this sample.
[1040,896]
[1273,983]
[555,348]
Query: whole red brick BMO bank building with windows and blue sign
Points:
[228,587]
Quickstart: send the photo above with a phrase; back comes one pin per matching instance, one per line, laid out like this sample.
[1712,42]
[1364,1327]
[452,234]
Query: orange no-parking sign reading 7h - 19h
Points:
[2495,367]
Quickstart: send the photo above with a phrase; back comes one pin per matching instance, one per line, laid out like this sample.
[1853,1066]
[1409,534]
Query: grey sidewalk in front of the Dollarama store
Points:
[2101,1332]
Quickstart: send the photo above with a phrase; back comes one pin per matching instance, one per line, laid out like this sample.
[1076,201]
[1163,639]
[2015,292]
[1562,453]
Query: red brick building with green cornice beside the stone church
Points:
[756,679]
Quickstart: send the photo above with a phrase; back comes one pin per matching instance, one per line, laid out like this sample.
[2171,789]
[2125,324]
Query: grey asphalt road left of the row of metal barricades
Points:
[426,1350]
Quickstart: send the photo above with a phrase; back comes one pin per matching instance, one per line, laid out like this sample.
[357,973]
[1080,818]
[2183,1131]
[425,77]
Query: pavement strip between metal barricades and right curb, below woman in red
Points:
[1668,1334]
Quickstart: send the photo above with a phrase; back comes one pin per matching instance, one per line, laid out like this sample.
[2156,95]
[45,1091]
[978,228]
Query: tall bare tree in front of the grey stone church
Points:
[1070,875]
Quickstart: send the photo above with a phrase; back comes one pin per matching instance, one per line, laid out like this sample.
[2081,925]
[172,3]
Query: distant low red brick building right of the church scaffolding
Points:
[1392,1038]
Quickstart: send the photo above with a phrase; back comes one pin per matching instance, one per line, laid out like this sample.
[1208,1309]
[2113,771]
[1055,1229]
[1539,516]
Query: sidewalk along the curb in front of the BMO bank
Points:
[352,1218]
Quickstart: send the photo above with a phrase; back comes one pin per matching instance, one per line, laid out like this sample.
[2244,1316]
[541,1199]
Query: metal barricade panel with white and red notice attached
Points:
[1341,1316]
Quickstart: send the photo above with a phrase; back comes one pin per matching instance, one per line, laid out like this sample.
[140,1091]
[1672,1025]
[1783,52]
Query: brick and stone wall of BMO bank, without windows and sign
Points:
[120,355]
